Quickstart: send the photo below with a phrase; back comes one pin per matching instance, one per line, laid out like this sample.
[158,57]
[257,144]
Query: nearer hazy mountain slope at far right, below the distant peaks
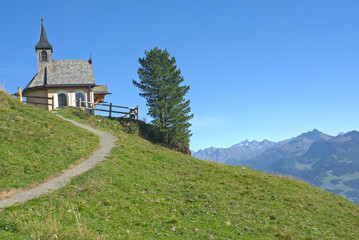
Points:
[331,164]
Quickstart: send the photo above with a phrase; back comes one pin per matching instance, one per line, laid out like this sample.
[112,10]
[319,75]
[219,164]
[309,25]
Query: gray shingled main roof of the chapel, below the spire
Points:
[64,73]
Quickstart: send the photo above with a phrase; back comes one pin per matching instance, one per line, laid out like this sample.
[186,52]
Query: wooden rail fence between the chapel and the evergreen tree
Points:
[111,109]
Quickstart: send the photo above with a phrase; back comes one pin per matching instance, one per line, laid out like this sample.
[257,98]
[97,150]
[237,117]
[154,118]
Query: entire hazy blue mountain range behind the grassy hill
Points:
[331,163]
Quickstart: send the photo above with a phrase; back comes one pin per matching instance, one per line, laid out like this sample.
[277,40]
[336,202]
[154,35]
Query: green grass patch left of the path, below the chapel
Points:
[35,144]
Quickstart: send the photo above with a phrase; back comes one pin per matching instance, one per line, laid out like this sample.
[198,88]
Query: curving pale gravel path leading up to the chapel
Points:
[107,142]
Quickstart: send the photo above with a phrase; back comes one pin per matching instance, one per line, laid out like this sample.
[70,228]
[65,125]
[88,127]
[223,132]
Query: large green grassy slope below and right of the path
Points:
[145,191]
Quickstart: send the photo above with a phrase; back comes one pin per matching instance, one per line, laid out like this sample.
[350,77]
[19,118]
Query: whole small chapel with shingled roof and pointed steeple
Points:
[61,83]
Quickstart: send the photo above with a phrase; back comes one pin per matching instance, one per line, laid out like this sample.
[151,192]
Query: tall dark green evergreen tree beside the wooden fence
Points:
[159,83]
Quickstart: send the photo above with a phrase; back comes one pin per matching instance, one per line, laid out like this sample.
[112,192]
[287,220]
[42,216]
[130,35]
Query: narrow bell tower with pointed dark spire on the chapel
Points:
[43,50]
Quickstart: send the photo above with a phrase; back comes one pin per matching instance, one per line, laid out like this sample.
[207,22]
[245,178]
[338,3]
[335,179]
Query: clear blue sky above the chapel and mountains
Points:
[257,69]
